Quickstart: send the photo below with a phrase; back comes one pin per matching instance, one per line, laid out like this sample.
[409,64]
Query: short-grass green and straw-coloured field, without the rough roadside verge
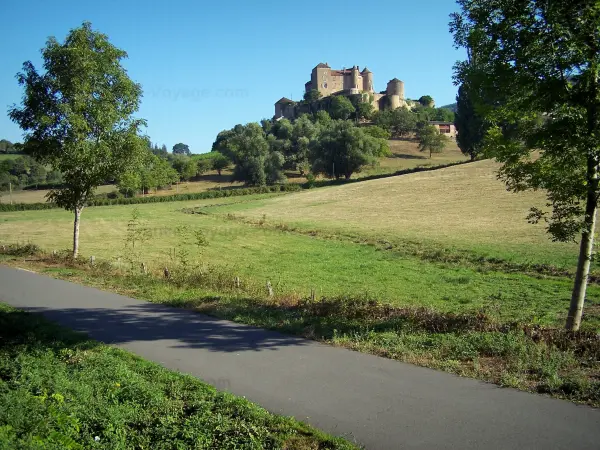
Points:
[435,210]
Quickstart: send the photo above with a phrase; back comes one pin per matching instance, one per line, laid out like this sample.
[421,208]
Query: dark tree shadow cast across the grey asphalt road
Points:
[151,322]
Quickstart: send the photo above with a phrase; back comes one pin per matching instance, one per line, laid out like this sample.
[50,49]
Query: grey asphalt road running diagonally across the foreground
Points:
[376,402]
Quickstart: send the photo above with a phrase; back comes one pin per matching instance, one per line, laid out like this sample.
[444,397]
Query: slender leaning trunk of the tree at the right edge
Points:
[585,250]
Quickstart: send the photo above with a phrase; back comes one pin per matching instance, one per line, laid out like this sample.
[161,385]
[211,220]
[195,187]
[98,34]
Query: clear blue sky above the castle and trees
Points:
[206,66]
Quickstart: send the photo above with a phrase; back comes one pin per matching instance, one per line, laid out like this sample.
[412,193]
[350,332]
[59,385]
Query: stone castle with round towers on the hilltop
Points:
[347,82]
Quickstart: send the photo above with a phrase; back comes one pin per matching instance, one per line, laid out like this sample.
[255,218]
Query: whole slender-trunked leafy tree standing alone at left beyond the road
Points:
[77,116]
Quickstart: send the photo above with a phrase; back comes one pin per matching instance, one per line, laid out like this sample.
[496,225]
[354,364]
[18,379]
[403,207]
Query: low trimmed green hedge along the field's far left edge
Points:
[159,199]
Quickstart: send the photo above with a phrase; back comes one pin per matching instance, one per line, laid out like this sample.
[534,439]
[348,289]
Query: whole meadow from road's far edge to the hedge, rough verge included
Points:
[434,268]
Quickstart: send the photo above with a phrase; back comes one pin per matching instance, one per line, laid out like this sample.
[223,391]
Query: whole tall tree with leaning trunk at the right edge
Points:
[533,71]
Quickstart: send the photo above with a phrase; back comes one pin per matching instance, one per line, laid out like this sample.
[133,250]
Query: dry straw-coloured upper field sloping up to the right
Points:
[463,207]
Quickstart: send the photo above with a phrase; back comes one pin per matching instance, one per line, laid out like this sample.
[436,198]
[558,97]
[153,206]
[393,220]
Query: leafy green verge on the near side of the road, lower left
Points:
[61,390]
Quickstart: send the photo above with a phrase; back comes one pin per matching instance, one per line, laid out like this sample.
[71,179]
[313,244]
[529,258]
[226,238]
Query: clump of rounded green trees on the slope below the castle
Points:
[312,143]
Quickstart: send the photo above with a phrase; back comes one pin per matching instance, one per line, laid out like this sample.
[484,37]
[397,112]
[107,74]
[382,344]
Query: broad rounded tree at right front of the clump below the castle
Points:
[343,149]
